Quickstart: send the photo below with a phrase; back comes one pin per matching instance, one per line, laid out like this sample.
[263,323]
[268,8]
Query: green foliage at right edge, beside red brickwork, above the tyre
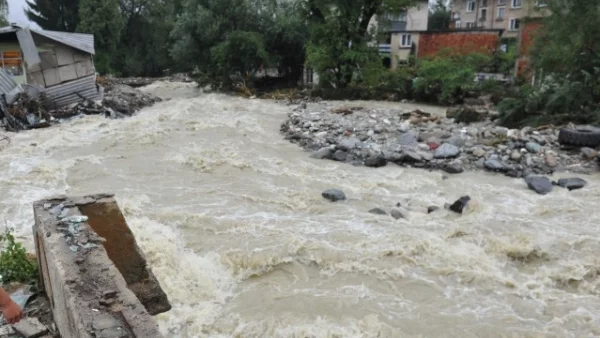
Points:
[566,57]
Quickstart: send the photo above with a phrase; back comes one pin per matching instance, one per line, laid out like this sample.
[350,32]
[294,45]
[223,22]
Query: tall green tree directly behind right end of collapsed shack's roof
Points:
[103,19]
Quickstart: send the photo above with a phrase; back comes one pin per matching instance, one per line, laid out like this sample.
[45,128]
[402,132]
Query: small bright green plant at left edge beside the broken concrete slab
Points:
[15,264]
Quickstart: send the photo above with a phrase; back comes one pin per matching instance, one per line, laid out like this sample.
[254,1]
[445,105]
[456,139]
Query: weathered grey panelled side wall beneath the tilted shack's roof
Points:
[60,64]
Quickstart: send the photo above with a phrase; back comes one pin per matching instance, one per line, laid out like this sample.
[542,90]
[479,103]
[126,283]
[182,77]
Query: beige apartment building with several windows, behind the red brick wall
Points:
[496,14]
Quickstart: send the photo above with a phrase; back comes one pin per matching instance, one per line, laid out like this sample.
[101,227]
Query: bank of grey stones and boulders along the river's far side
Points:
[376,137]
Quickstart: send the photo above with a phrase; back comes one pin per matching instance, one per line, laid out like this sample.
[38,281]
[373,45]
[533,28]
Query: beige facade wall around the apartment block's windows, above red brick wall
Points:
[528,9]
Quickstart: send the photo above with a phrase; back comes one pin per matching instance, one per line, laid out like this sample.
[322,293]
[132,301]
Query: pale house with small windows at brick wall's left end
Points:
[400,31]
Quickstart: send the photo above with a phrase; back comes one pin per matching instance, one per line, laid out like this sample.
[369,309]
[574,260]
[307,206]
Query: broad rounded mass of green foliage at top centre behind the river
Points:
[223,38]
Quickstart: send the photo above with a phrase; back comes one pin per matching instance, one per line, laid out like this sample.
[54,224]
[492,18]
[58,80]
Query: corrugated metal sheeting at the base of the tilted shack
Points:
[74,91]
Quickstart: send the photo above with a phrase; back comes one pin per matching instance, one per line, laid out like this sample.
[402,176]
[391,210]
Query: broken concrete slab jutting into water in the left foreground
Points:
[94,274]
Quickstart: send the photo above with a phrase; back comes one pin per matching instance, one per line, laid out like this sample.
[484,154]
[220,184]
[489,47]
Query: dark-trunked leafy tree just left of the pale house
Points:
[339,35]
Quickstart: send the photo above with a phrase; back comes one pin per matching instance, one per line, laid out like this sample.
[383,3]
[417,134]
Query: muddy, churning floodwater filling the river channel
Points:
[231,218]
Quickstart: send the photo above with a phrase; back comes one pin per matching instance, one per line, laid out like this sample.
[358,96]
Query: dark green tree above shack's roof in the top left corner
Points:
[60,15]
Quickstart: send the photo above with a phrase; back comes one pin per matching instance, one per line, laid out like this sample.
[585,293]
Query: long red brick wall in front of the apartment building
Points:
[463,42]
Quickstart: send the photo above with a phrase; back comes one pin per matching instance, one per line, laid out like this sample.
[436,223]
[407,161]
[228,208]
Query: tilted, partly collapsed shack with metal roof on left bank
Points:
[55,67]
